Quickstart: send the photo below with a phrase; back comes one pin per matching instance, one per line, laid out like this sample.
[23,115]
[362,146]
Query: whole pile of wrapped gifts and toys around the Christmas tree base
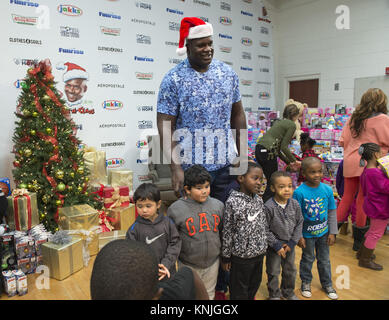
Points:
[83,230]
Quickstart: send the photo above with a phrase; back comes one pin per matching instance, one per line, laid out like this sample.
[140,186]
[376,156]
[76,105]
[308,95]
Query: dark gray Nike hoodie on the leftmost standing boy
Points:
[161,235]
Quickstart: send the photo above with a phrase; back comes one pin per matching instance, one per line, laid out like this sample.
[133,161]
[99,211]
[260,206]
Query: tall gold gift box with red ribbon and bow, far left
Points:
[22,212]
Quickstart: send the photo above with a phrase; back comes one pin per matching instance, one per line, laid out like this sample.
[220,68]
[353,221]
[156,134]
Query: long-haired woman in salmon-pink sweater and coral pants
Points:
[368,123]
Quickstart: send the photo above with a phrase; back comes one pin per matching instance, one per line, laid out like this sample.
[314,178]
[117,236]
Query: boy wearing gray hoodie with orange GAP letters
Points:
[198,218]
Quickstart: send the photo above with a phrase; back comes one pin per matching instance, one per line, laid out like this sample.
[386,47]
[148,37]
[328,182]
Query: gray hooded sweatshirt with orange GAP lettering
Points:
[198,225]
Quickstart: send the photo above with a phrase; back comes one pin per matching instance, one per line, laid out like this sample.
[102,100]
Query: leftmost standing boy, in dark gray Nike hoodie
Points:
[155,229]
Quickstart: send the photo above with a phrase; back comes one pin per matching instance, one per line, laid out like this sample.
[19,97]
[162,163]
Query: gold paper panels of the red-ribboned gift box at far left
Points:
[22,212]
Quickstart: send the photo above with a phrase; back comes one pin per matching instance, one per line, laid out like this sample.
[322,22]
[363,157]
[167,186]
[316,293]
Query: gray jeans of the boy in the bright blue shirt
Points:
[323,260]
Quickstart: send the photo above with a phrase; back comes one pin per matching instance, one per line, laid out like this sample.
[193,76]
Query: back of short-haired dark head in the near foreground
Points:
[124,270]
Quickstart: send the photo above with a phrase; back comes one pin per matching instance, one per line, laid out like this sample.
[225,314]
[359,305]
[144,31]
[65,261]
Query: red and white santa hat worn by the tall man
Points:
[192,28]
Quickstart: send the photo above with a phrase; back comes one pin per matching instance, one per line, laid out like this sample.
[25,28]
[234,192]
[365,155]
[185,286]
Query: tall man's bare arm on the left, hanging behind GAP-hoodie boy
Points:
[166,126]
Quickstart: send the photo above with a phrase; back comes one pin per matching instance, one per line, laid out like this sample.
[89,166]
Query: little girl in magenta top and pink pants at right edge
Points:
[375,187]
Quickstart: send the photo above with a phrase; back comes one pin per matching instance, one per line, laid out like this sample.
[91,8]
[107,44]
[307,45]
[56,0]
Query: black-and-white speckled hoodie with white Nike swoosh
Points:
[245,227]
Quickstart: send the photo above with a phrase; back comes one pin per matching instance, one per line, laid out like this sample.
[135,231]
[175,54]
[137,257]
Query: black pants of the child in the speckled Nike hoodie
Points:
[245,277]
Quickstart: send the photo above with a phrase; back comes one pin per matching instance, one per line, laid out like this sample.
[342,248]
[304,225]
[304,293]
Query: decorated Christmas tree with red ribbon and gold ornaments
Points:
[47,156]
